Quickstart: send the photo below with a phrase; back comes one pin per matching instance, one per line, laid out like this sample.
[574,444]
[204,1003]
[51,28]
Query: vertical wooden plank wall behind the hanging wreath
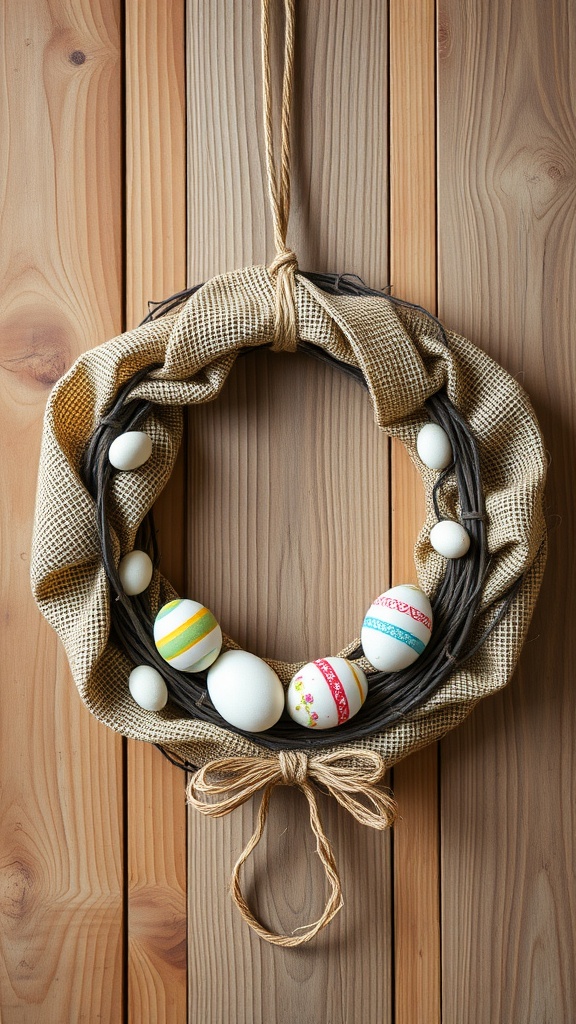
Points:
[435,152]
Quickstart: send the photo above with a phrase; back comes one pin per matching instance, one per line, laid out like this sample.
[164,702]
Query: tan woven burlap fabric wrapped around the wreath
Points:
[404,362]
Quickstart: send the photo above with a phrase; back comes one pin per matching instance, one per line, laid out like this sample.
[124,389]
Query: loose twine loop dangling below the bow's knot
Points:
[324,850]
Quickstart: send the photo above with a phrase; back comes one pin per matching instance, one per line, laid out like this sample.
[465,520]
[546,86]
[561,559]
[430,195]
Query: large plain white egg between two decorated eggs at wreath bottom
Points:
[245,692]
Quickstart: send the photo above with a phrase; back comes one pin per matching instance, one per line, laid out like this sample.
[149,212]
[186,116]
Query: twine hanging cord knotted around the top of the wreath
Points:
[285,265]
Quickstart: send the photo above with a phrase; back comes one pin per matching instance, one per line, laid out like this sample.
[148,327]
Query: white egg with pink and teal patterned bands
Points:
[397,628]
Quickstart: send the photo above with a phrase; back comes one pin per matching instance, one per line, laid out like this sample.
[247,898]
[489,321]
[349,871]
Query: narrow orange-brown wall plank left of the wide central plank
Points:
[155,269]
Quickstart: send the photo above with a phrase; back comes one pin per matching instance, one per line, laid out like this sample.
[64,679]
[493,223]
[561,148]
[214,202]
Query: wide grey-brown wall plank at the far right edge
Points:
[507,216]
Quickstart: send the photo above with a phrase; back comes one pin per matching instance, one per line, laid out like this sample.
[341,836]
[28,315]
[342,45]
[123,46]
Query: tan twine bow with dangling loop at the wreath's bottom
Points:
[347,775]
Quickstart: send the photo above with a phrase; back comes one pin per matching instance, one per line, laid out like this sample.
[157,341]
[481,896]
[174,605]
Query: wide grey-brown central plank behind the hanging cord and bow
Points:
[287,556]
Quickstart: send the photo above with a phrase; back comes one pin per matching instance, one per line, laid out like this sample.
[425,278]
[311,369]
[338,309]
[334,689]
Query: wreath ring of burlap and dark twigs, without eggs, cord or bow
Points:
[89,517]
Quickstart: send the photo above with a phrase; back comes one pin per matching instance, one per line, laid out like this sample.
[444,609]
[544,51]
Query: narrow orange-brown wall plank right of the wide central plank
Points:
[414,259]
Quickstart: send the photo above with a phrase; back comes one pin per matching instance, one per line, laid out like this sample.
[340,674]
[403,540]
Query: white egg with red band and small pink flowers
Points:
[326,693]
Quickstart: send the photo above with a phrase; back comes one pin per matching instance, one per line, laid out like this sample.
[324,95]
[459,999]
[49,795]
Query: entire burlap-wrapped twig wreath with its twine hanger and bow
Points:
[92,515]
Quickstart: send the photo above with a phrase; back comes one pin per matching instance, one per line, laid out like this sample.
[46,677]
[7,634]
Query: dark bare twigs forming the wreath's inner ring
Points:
[458,604]
